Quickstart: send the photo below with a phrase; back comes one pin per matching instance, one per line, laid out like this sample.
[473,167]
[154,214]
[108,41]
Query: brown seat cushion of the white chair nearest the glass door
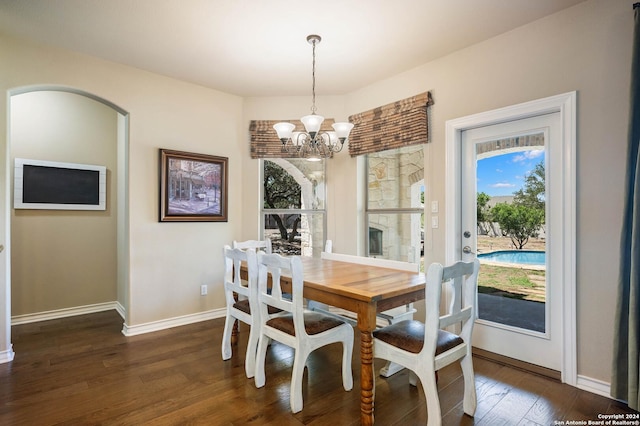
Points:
[409,336]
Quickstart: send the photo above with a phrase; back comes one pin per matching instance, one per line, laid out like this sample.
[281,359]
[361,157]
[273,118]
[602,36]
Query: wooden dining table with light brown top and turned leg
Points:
[364,290]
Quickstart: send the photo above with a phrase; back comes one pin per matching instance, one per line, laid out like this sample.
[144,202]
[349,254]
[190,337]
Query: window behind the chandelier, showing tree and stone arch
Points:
[293,208]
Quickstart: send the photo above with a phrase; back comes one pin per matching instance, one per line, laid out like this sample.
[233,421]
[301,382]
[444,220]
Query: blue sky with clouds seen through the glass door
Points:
[504,174]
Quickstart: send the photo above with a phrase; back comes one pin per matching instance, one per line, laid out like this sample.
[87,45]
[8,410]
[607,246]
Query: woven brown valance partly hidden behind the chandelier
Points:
[265,142]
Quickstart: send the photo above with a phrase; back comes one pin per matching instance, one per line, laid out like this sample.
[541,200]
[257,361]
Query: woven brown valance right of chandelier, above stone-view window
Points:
[394,125]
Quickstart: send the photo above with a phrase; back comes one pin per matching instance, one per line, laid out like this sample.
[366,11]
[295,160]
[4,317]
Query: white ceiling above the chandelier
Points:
[259,47]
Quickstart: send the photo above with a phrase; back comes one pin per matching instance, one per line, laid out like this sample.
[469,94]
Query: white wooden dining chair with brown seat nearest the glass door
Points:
[426,347]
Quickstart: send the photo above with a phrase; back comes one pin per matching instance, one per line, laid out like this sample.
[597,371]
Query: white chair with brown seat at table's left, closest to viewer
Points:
[298,328]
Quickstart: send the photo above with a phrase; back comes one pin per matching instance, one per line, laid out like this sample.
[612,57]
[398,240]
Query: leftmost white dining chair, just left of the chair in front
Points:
[242,302]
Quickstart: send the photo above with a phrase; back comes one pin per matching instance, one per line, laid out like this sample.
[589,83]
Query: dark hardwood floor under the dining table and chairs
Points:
[83,371]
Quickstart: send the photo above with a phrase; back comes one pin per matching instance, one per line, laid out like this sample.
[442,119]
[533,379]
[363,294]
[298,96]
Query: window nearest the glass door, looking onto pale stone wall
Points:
[395,204]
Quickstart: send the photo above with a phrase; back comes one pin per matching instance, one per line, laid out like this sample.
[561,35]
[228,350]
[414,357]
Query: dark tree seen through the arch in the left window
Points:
[281,191]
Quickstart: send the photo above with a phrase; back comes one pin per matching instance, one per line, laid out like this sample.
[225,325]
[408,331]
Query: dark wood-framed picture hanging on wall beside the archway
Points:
[193,187]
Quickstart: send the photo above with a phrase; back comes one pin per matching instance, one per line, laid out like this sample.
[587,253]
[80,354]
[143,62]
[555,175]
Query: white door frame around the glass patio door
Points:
[566,105]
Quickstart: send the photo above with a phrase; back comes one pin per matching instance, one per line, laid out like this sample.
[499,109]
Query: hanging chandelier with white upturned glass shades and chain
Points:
[313,144]
